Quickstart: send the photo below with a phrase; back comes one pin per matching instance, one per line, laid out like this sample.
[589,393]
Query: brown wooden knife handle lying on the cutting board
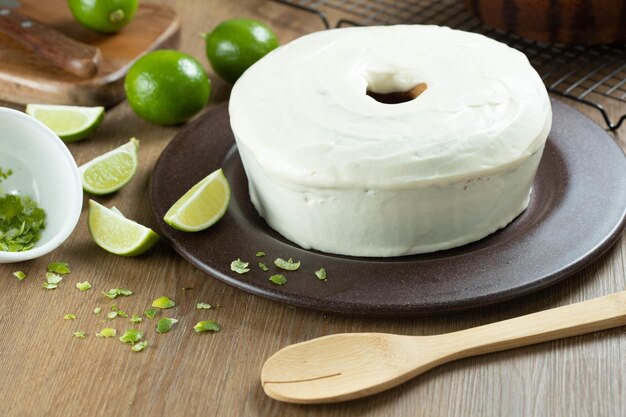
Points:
[74,57]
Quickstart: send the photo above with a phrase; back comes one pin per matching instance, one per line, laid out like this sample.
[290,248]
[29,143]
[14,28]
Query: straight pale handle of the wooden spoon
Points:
[571,320]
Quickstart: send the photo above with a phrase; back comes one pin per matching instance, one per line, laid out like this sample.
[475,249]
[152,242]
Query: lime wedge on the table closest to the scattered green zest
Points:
[117,234]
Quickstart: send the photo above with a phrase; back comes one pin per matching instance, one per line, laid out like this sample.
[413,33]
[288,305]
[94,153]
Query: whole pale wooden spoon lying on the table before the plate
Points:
[347,366]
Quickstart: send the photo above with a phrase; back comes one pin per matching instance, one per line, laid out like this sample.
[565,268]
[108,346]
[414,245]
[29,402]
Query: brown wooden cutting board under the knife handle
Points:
[25,78]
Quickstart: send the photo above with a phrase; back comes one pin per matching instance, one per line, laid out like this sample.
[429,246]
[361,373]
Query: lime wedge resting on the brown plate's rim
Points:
[201,206]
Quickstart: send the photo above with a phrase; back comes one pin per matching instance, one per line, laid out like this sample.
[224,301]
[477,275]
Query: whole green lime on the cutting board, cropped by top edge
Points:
[106,16]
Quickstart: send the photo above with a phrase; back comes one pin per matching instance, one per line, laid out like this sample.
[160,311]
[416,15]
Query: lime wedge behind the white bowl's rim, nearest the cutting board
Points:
[70,123]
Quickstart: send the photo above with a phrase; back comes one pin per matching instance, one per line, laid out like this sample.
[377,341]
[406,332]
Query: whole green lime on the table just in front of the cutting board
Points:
[167,87]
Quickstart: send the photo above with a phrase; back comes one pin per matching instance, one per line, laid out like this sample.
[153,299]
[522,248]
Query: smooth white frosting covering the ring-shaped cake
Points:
[333,169]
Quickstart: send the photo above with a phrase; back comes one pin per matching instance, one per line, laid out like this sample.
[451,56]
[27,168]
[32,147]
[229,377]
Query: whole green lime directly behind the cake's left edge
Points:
[235,44]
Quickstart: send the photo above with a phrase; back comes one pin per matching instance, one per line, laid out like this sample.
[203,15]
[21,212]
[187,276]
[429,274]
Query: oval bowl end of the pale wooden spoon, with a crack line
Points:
[339,367]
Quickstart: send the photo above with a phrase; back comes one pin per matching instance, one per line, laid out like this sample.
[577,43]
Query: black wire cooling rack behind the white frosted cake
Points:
[590,75]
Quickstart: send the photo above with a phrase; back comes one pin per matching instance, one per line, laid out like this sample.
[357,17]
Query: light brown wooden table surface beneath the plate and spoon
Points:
[45,371]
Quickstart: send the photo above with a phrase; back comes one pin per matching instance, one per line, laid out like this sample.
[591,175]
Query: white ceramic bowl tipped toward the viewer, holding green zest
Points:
[43,169]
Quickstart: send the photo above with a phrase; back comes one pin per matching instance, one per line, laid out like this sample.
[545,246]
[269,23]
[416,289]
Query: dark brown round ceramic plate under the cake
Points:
[577,211]
